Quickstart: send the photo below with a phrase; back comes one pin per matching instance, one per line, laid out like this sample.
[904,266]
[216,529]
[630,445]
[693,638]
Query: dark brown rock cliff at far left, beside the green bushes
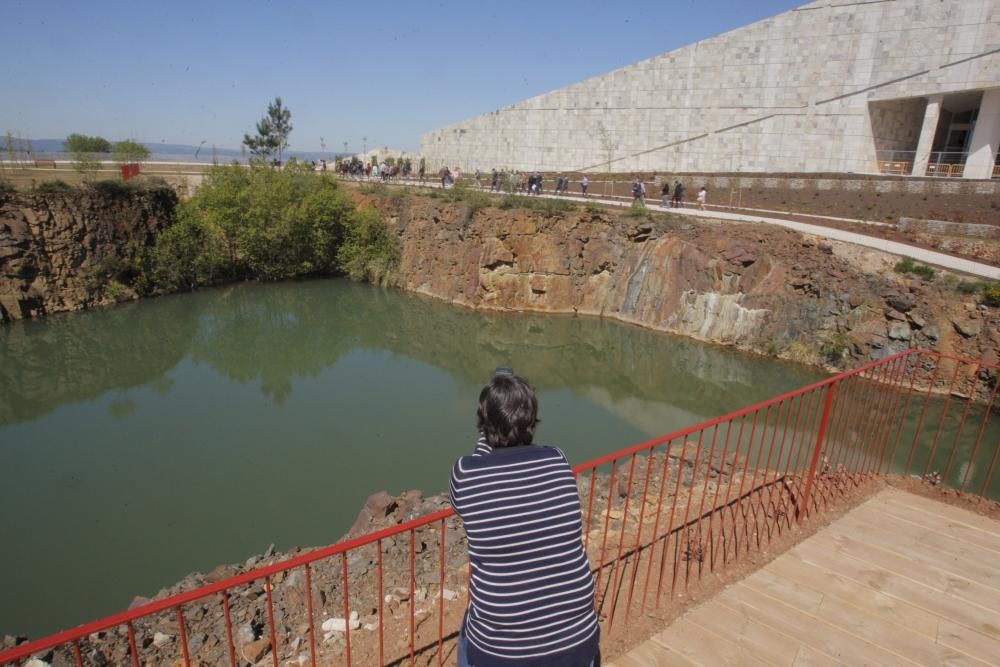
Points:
[53,247]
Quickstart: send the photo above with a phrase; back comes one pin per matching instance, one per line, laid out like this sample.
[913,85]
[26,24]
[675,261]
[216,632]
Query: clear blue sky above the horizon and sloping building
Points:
[183,72]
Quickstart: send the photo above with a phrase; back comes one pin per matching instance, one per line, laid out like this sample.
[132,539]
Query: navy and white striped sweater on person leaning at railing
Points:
[532,592]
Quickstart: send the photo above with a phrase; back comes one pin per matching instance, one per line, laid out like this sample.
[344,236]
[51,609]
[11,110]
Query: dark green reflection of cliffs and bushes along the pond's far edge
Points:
[273,335]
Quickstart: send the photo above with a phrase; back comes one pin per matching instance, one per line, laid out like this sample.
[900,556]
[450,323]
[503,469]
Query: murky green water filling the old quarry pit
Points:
[147,441]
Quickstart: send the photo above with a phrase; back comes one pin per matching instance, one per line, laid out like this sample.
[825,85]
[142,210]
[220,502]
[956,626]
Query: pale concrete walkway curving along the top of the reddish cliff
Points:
[943,260]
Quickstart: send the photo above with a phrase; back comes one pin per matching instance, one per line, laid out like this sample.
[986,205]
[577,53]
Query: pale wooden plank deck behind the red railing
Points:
[901,580]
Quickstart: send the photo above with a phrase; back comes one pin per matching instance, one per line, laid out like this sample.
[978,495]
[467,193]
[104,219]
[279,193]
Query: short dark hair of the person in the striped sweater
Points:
[508,411]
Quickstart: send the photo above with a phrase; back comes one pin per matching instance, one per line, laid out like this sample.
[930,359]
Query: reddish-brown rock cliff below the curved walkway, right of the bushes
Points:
[759,288]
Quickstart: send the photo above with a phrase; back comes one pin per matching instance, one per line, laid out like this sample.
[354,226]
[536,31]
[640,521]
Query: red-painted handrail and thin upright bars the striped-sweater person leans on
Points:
[853,433]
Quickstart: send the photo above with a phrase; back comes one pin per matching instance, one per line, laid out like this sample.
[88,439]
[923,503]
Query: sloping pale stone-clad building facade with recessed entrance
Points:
[832,86]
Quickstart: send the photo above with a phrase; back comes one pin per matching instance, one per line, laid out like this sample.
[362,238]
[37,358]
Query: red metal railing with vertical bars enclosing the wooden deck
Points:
[658,517]
